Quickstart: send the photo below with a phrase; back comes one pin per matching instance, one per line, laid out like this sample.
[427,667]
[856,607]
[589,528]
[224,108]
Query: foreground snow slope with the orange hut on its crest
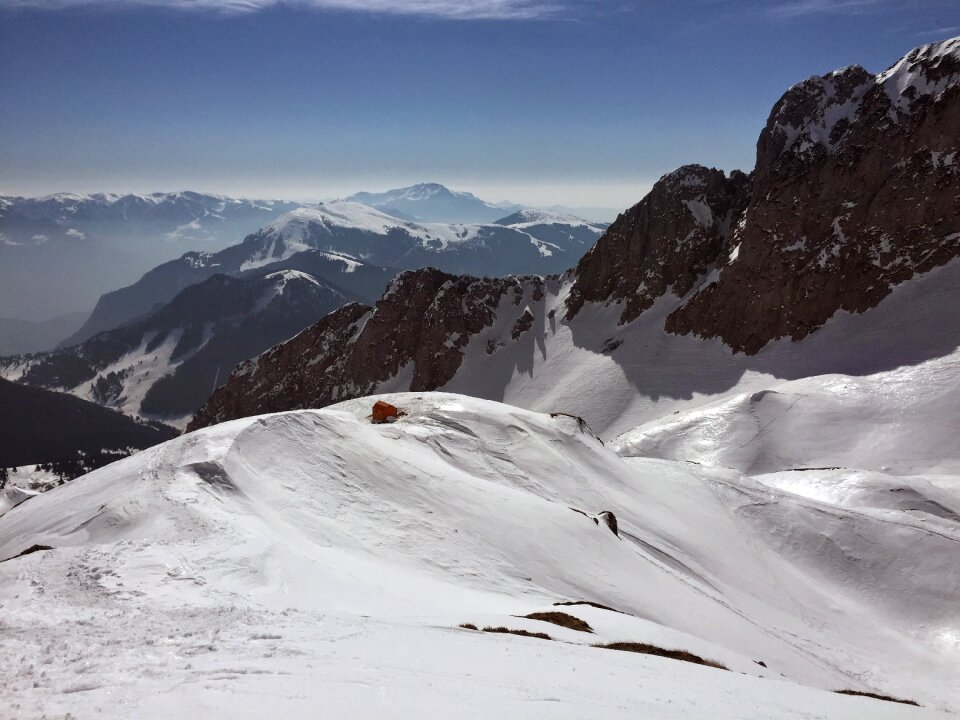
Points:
[270,564]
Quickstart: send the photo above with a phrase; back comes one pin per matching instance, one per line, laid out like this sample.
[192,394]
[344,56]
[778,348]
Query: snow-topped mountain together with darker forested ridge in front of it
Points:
[159,347]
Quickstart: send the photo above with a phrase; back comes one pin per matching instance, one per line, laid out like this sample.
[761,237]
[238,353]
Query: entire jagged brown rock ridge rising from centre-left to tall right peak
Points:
[856,189]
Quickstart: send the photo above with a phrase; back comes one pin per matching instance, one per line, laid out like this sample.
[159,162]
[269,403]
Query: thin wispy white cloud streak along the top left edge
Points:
[447,9]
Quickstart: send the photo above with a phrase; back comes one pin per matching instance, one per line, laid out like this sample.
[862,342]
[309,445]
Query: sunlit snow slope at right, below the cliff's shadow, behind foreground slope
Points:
[902,421]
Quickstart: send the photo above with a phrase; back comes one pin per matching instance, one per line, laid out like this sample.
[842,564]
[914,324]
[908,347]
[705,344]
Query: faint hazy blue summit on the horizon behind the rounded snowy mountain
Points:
[432,202]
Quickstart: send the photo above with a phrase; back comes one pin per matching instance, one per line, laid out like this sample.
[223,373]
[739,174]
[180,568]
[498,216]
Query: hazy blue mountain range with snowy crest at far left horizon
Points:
[59,253]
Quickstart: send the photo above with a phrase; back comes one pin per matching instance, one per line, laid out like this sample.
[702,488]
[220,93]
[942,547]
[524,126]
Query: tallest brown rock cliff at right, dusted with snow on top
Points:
[856,189]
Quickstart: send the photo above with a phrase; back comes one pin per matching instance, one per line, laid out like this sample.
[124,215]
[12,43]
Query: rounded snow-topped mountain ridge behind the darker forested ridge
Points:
[347,232]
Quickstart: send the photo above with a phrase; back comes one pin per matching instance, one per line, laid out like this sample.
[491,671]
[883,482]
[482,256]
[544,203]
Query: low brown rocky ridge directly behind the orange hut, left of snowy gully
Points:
[417,334]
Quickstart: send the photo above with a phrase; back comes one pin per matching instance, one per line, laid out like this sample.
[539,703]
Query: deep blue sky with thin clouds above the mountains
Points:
[580,102]
